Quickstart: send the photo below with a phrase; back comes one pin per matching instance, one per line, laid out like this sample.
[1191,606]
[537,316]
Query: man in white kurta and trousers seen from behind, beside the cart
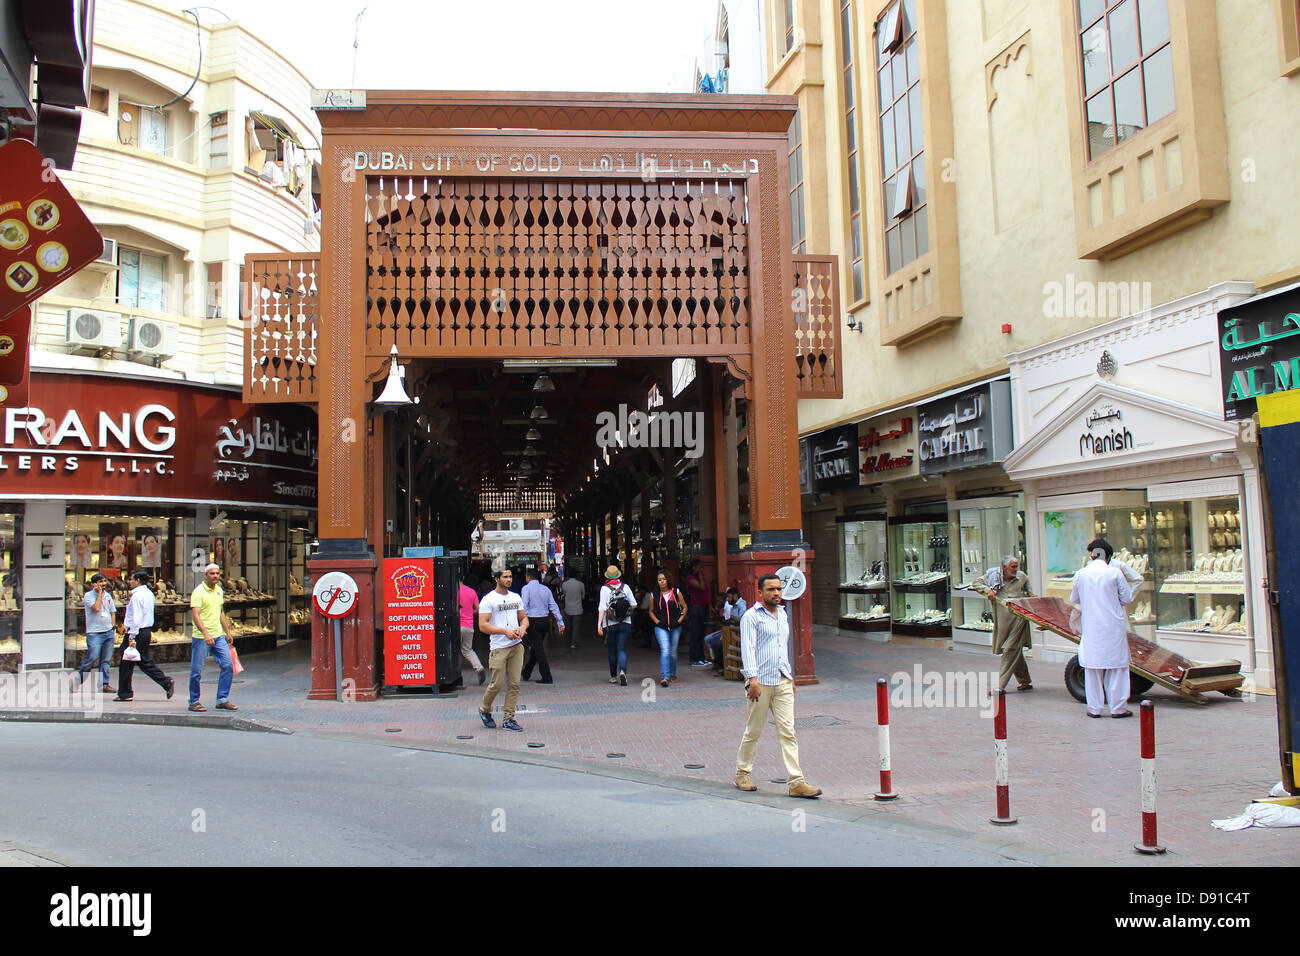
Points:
[1102,592]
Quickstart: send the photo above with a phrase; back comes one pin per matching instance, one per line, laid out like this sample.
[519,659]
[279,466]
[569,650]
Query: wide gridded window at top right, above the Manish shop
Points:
[1128,68]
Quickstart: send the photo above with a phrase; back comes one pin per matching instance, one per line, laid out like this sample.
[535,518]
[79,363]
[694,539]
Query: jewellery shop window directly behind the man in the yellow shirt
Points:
[250,578]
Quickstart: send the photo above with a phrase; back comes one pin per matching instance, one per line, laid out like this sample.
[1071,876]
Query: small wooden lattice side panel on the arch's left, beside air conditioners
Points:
[283,314]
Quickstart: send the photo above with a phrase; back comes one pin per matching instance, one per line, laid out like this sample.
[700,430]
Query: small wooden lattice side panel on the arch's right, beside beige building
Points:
[817,327]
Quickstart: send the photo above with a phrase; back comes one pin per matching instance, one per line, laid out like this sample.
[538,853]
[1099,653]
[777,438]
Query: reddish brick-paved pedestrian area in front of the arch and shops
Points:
[1074,782]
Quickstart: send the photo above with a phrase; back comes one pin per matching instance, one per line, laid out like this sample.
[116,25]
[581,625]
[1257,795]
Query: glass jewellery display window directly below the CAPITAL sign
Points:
[986,533]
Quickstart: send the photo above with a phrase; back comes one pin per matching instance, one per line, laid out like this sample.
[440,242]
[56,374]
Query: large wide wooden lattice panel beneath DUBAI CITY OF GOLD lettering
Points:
[461,265]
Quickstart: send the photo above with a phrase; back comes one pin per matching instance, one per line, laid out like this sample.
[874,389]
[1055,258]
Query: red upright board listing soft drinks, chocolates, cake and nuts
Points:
[409,625]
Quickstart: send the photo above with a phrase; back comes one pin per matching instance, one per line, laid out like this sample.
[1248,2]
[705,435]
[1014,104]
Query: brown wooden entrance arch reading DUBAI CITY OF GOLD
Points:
[486,226]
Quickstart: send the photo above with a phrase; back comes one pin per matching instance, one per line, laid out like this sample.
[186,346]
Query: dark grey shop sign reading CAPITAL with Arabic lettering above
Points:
[968,430]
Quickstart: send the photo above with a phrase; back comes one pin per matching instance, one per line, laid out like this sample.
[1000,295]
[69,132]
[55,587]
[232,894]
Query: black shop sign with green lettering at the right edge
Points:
[1259,351]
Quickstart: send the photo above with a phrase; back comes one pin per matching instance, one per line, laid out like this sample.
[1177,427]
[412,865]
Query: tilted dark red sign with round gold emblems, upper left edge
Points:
[45,236]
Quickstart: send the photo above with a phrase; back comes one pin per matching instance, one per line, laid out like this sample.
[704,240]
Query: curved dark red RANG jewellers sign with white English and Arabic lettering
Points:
[84,435]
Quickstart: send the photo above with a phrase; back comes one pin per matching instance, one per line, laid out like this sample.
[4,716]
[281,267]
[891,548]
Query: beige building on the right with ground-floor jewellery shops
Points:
[1003,180]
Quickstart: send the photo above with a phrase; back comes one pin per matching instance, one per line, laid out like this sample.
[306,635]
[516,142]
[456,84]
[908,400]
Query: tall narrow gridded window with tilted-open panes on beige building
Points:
[903,161]
